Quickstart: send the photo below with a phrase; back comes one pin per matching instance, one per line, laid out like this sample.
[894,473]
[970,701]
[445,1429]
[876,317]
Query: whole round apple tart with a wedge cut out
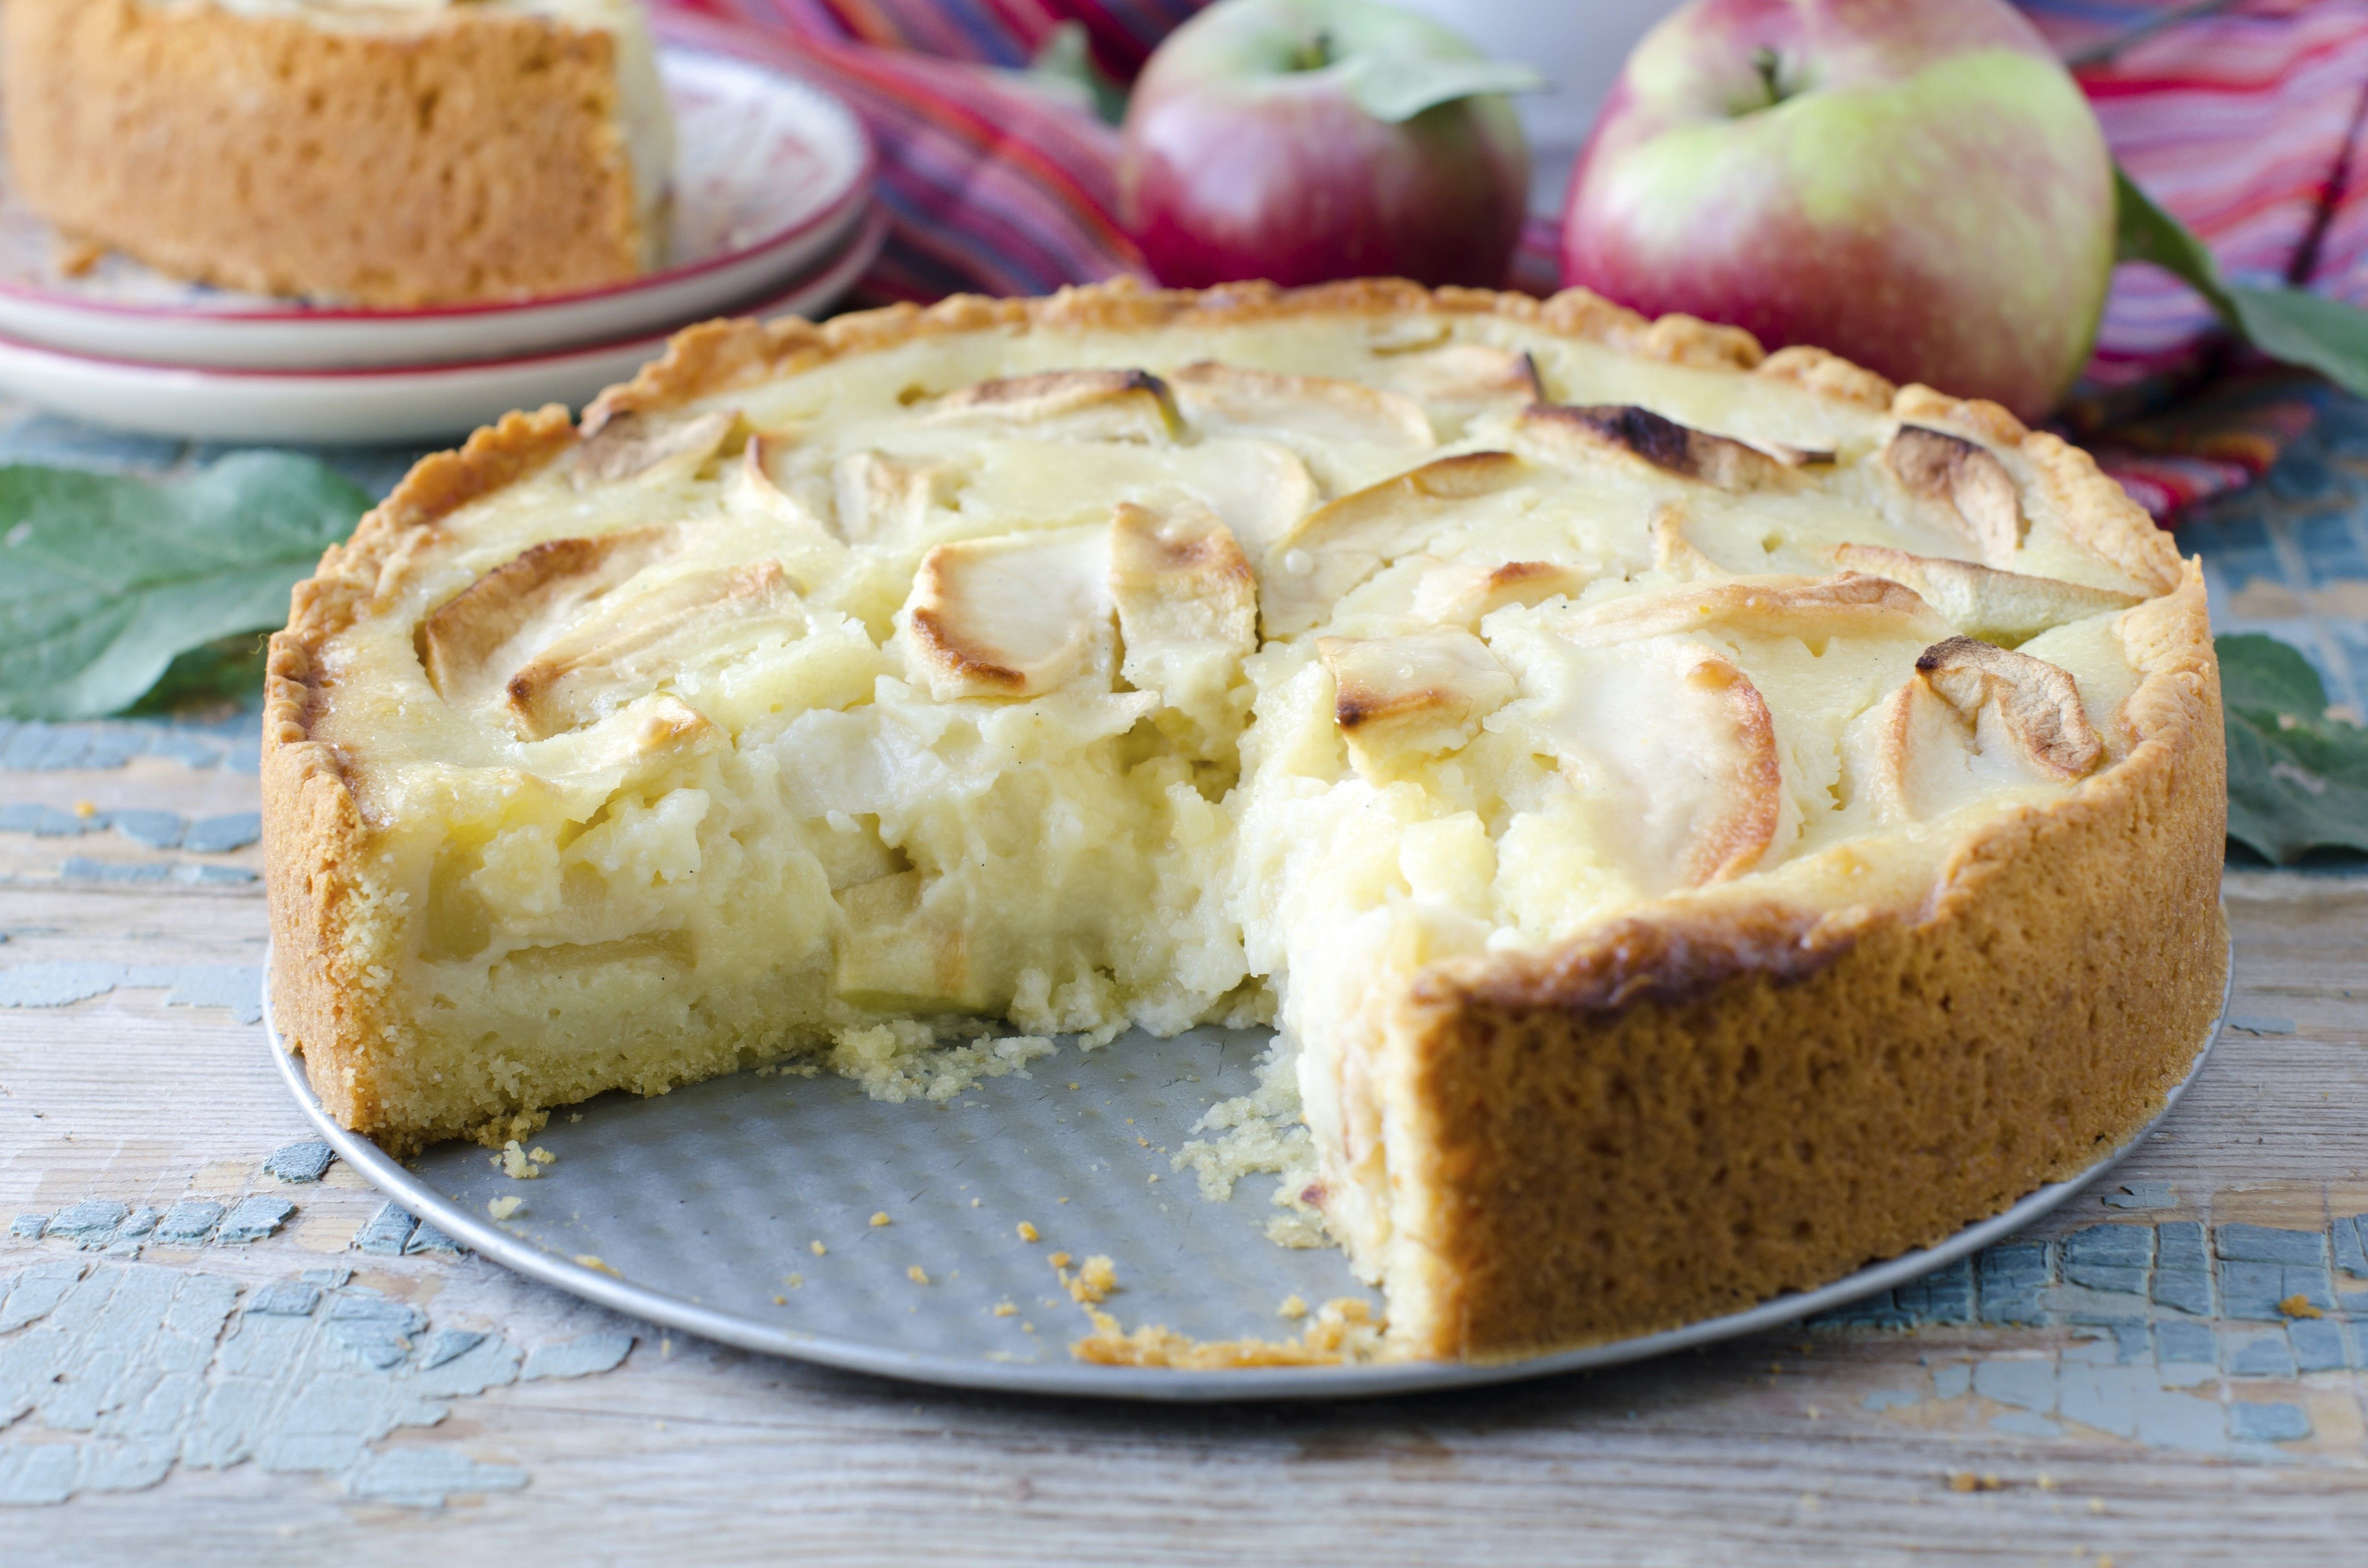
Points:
[1704,818]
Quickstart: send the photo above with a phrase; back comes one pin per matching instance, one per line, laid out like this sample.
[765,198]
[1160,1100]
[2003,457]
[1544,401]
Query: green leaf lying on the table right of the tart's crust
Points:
[2298,780]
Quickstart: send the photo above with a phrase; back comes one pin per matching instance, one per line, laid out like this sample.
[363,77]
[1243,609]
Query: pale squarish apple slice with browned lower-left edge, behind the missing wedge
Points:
[1019,615]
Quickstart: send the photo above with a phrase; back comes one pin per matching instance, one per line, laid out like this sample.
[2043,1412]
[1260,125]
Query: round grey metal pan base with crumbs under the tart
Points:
[702,1212]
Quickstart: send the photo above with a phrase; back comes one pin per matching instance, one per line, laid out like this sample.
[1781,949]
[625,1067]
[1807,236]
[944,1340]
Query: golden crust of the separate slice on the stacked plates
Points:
[458,155]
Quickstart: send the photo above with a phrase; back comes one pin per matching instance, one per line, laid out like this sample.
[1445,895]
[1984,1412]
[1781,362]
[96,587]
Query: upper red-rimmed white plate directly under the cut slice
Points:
[771,176]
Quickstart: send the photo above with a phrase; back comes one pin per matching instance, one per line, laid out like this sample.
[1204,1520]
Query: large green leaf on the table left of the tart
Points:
[105,581]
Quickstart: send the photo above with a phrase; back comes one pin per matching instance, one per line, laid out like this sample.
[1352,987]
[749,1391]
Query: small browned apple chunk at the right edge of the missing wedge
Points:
[1403,700]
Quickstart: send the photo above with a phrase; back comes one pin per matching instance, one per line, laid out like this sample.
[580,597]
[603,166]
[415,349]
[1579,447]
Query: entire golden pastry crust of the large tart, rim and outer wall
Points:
[1694,1110]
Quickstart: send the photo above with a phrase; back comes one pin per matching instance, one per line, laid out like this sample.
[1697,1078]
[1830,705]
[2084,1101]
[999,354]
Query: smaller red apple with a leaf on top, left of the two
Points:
[1306,141]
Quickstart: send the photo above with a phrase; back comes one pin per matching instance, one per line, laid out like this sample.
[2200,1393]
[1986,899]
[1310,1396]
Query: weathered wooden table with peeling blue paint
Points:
[2121,1384]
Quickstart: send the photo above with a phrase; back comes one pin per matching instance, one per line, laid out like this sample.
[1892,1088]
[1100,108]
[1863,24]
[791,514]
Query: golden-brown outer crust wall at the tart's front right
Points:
[1692,1114]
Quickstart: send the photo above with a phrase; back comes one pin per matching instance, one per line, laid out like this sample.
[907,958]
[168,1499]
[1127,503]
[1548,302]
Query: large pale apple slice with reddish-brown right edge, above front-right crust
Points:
[1682,752]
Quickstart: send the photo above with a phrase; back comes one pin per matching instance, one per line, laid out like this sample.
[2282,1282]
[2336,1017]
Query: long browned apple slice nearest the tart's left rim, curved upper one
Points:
[529,593]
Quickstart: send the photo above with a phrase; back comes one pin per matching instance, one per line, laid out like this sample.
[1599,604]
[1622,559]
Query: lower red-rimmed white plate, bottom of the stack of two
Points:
[368,406]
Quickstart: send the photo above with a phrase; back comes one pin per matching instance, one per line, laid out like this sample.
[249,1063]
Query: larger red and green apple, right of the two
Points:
[1912,184]
